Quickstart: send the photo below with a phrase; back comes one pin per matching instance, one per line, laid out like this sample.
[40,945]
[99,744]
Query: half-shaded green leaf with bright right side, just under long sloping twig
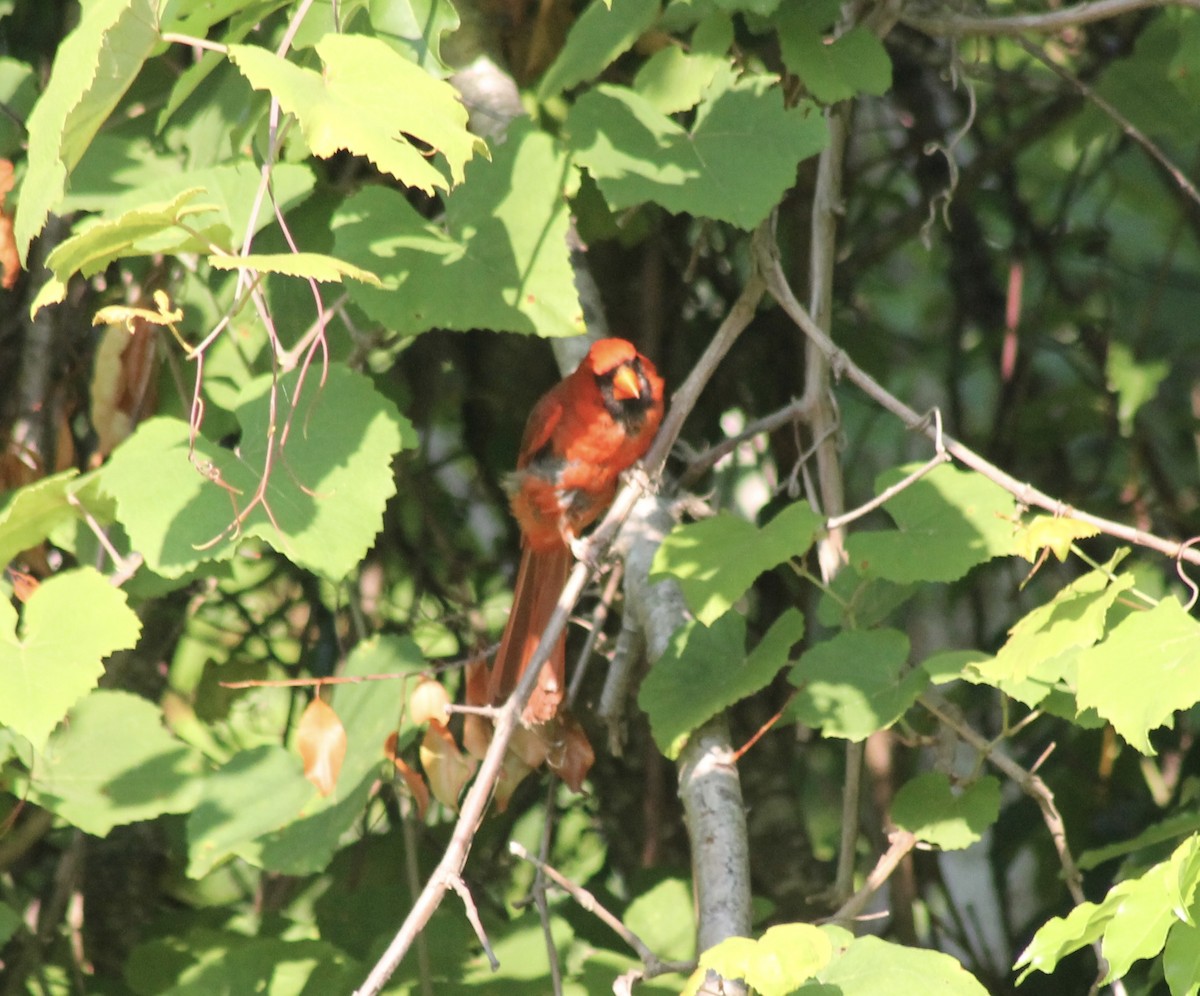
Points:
[949,521]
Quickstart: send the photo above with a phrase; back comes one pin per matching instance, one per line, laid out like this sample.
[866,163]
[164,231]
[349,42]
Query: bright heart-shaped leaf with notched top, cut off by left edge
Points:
[71,623]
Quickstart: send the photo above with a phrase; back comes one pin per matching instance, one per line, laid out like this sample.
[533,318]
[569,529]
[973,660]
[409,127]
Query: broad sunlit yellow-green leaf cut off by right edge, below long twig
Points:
[1163,646]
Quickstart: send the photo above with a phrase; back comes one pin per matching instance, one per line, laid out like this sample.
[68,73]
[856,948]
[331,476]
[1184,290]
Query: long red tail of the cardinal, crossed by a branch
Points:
[541,581]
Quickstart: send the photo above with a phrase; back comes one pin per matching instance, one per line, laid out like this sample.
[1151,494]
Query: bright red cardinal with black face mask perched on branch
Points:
[581,435]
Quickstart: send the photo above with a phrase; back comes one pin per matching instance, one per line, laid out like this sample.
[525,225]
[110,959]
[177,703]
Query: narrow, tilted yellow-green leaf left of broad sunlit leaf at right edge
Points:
[1073,620]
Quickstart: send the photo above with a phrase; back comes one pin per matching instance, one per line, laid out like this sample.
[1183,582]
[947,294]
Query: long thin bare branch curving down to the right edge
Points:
[1022,491]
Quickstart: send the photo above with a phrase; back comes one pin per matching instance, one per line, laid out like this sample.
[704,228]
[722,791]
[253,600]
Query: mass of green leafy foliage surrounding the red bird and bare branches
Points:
[1017,245]
